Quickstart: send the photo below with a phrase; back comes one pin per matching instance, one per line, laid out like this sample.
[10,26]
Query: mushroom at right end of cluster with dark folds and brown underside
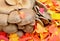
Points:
[43,18]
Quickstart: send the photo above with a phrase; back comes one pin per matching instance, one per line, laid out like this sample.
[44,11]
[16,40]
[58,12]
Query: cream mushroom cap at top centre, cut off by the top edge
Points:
[25,3]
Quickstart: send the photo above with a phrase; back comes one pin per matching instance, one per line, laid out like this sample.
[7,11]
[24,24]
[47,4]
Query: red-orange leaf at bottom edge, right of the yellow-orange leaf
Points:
[28,36]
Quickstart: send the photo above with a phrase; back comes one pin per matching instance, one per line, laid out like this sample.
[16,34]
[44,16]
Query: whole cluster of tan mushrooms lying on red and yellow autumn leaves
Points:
[20,16]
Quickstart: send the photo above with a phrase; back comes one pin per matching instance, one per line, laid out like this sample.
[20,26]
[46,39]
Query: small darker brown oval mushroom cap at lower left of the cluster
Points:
[10,28]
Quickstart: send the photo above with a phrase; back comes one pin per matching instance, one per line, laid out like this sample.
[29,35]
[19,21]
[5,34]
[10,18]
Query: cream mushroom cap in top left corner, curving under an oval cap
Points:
[4,8]
